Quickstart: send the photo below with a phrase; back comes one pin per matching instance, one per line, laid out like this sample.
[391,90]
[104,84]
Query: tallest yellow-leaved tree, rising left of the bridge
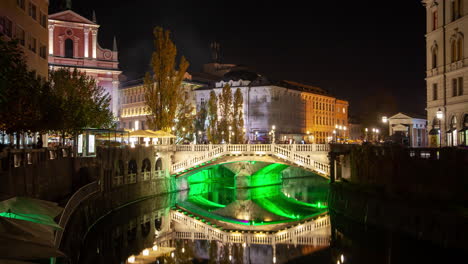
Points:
[163,87]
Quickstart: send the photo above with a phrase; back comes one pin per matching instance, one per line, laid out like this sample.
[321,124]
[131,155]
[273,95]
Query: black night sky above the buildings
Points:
[355,49]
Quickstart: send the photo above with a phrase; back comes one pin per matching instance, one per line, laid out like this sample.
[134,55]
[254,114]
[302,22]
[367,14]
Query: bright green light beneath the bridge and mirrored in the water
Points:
[213,194]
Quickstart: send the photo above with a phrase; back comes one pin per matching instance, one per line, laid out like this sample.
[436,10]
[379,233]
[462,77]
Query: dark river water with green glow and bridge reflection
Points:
[215,222]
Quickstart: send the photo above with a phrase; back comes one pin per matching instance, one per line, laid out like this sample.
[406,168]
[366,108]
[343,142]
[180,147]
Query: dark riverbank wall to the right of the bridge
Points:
[420,192]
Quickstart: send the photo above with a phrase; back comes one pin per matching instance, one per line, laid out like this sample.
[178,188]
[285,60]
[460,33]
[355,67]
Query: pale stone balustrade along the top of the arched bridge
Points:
[296,154]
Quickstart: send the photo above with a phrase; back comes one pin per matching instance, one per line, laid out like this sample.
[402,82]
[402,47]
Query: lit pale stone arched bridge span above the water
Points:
[312,157]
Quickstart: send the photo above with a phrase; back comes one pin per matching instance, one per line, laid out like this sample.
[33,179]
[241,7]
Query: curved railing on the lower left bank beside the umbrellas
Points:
[79,196]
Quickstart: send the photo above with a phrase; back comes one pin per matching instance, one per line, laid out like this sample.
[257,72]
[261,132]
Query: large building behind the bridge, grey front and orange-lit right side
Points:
[296,111]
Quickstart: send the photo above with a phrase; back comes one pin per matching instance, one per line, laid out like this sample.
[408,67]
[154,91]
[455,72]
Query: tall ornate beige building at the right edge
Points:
[447,70]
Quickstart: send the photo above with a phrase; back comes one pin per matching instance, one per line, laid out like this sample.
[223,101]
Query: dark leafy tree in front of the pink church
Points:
[77,102]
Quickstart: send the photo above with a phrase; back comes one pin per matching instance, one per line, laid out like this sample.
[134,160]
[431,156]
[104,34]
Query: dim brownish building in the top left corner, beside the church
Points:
[26,21]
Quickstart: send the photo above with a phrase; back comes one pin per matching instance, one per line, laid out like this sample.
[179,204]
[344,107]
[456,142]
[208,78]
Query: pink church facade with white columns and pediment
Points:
[73,43]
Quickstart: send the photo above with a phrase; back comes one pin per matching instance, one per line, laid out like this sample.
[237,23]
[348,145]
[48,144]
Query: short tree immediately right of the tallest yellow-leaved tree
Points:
[185,117]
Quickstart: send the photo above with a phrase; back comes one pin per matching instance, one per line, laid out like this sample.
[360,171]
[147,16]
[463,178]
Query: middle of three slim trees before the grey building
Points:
[225,110]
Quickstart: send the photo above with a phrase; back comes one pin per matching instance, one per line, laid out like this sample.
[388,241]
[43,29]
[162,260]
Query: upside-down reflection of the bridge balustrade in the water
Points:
[313,232]
